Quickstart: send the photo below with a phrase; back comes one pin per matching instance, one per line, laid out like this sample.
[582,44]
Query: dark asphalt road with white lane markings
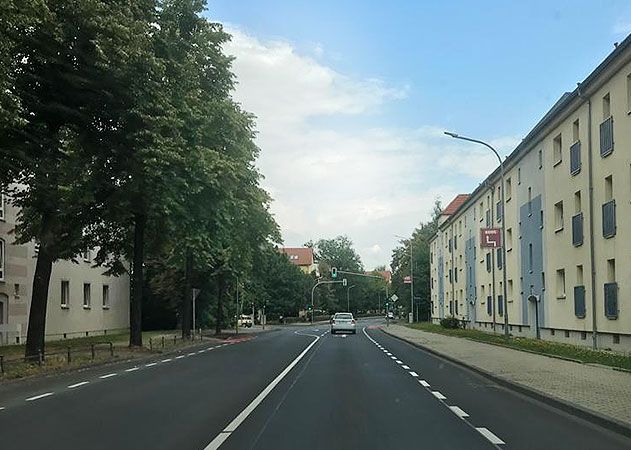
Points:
[296,388]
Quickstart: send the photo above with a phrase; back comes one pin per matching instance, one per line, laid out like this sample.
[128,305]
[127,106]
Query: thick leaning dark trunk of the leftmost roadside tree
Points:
[39,302]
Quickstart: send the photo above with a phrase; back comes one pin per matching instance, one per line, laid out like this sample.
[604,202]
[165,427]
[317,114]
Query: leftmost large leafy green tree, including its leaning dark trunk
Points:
[61,62]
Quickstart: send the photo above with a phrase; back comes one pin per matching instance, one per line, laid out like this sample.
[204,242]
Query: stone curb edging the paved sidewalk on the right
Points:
[579,411]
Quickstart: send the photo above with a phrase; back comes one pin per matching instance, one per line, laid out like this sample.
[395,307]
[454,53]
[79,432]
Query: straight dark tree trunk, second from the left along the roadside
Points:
[137,284]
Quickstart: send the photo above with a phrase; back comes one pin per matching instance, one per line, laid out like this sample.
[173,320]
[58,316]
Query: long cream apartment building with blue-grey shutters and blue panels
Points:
[568,234]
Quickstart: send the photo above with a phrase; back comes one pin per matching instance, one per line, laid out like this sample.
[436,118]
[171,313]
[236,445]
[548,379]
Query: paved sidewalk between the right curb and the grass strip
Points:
[605,391]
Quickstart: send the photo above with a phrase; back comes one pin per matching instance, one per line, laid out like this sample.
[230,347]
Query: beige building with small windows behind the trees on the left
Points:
[81,300]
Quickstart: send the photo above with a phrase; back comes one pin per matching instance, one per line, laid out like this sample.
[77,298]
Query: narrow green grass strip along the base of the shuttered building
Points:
[574,352]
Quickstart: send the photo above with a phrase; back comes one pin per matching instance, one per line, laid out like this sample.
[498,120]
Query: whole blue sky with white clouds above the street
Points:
[352,98]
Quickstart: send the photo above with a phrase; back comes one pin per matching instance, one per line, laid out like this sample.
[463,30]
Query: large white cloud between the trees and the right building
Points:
[328,173]
